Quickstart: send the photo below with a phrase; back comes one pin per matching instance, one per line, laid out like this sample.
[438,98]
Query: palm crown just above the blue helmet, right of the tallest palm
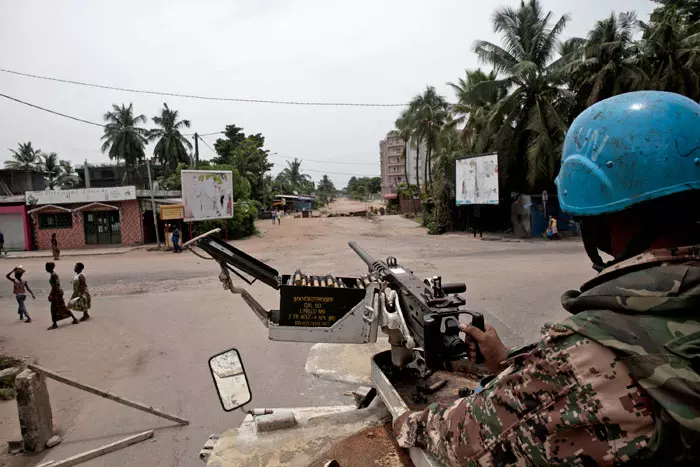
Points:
[605,65]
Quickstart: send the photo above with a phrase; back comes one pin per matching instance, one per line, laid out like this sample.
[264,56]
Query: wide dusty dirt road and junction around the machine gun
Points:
[159,316]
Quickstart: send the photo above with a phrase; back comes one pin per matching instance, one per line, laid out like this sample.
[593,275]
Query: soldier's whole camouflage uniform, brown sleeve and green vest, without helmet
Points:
[613,383]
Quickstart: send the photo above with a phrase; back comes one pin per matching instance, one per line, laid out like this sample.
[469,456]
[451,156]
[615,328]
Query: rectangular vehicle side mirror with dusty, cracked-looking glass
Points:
[230,379]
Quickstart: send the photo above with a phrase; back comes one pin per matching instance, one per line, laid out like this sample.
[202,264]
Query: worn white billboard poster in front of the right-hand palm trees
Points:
[477,180]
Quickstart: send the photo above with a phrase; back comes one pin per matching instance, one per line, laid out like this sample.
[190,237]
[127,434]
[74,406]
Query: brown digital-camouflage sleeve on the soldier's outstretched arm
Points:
[566,402]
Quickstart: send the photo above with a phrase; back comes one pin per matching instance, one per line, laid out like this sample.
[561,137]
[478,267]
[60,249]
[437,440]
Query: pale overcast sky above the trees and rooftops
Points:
[365,51]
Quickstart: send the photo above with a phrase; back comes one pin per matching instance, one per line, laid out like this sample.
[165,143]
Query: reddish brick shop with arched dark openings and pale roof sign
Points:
[85,217]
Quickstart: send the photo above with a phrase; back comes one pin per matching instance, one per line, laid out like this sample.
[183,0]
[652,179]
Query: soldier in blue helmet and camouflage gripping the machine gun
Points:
[618,381]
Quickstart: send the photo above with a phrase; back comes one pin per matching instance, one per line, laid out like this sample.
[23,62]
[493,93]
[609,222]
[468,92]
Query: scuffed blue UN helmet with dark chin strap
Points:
[629,149]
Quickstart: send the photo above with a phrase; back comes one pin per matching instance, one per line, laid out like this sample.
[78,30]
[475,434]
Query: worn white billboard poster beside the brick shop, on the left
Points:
[207,194]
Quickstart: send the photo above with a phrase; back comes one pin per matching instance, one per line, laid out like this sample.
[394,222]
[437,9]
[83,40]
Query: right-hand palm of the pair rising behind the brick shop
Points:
[171,148]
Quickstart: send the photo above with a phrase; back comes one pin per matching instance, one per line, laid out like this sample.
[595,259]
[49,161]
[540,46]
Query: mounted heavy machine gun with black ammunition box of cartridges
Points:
[421,317]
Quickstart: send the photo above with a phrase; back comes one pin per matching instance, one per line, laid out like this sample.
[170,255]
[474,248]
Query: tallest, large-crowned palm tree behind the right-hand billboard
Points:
[529,119]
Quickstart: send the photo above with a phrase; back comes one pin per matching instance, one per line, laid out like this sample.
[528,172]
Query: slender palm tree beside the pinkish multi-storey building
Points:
[429,112]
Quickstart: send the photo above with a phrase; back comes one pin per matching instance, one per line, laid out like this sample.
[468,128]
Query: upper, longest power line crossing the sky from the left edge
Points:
[194,96]
